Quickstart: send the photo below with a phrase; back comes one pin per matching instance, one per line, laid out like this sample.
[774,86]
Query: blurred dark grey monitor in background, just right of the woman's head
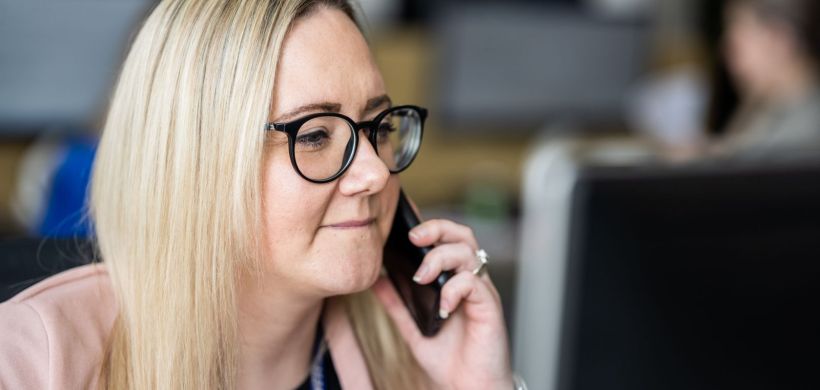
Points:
[514,65]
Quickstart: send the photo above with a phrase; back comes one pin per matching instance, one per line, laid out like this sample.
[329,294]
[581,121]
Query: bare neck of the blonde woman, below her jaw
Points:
[276,334]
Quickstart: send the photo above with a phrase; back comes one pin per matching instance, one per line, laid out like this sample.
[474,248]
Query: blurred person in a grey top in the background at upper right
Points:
[772,49]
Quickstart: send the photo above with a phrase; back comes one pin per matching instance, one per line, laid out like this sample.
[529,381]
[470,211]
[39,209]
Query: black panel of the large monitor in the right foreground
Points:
[693,279]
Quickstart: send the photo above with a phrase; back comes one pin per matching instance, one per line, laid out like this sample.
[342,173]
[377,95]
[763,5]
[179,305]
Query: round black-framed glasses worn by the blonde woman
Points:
[323,145]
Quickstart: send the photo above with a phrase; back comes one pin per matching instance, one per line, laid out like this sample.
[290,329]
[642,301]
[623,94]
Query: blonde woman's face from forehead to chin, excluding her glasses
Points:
[326,239]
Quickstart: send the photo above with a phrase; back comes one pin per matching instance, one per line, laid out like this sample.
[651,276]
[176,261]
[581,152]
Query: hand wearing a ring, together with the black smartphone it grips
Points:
[471,351]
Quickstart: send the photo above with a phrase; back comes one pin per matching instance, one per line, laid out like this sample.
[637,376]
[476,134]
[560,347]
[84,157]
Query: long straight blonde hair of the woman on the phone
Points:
[175,197]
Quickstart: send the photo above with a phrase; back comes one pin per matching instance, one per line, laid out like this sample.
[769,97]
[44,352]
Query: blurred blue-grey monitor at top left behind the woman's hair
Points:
[58,60]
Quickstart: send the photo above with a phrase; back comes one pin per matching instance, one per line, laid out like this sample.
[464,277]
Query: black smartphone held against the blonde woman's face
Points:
[401,261]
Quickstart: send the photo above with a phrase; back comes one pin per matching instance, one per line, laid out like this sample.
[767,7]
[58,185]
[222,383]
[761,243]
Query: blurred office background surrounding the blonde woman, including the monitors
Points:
[642,172]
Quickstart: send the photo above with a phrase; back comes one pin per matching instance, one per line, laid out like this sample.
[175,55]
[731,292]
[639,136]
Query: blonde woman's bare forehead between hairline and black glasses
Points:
[325,59]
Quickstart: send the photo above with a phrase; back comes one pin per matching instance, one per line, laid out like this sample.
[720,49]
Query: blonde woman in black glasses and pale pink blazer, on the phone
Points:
[241,234]
